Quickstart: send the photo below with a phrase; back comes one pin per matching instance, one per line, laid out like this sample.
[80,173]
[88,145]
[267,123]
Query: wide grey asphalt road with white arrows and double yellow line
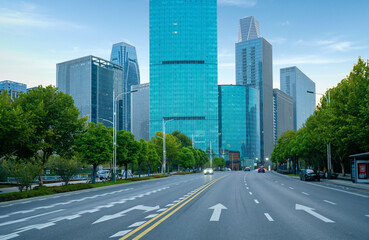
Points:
[226,205]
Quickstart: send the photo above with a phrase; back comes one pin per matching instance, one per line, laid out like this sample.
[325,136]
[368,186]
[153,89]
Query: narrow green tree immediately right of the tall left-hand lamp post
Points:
[127,149]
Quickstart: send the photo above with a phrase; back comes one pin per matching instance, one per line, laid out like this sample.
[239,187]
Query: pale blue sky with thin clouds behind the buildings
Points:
[324,39]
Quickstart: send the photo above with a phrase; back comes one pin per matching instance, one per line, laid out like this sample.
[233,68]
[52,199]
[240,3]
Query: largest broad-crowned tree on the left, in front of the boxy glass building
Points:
[54,120]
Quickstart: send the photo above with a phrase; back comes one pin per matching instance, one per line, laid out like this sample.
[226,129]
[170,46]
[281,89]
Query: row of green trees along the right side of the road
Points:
[343,122]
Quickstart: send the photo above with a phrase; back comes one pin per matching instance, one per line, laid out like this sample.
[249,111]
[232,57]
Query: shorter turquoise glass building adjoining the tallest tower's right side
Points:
[239,122]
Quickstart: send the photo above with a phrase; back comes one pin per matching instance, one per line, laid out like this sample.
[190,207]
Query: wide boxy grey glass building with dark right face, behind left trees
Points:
[91,81]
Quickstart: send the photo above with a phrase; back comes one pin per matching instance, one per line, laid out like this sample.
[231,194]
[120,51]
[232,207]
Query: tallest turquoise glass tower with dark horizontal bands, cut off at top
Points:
[183,69]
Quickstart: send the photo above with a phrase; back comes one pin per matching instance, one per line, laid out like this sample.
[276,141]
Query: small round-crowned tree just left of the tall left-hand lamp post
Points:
[95,146]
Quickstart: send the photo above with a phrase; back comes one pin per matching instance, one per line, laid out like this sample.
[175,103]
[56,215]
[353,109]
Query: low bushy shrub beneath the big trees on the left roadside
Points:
[65,168]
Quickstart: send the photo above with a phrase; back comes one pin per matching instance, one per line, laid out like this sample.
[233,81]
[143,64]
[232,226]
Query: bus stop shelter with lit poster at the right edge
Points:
[359,168]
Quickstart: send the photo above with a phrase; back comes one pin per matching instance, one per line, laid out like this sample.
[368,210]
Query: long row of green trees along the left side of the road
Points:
[42,129]
